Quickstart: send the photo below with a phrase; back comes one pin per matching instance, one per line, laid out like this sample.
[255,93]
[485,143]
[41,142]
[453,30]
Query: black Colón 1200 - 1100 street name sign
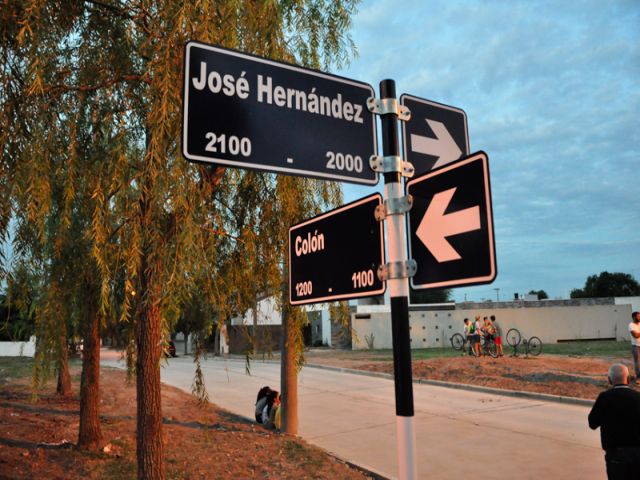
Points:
[335,256]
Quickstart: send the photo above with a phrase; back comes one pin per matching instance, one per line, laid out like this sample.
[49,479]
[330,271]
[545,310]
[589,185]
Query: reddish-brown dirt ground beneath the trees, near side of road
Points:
[208,442]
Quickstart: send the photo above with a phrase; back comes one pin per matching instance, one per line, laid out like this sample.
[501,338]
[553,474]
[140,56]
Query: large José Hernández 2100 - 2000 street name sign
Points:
[250,112]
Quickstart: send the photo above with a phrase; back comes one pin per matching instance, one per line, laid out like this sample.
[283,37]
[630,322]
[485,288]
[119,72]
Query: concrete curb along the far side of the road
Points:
[464,386]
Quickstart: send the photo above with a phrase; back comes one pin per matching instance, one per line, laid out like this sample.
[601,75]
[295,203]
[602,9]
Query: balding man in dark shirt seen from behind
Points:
[617,413]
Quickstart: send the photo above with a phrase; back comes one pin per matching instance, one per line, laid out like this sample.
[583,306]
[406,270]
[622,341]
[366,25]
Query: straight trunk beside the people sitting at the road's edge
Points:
[288,372]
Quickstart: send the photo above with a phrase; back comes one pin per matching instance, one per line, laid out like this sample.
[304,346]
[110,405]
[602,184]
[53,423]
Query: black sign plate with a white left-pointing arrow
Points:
[451,225]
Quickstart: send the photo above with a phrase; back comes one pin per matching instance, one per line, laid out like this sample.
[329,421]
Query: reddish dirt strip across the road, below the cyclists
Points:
[556,375]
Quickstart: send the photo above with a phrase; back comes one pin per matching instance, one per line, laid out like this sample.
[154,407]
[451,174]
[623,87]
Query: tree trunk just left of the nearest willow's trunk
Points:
[90,435]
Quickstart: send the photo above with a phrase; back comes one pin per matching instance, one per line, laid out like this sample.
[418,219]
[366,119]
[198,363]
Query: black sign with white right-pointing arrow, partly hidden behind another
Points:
[435,135]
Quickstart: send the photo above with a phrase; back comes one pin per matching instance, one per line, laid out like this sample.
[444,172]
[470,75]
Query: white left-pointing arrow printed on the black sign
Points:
[435,226]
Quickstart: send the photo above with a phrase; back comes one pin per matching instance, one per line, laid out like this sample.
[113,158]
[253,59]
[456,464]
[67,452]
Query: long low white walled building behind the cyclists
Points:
[550,320]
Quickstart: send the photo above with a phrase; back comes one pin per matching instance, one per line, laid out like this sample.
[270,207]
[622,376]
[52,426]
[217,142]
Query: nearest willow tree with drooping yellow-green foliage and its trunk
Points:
[108,74]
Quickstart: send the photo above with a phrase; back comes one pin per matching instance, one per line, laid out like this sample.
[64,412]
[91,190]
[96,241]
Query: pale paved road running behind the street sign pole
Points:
[459,434]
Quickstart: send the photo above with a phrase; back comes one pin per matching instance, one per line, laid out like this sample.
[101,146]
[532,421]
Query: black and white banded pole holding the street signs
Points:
[398,269]
